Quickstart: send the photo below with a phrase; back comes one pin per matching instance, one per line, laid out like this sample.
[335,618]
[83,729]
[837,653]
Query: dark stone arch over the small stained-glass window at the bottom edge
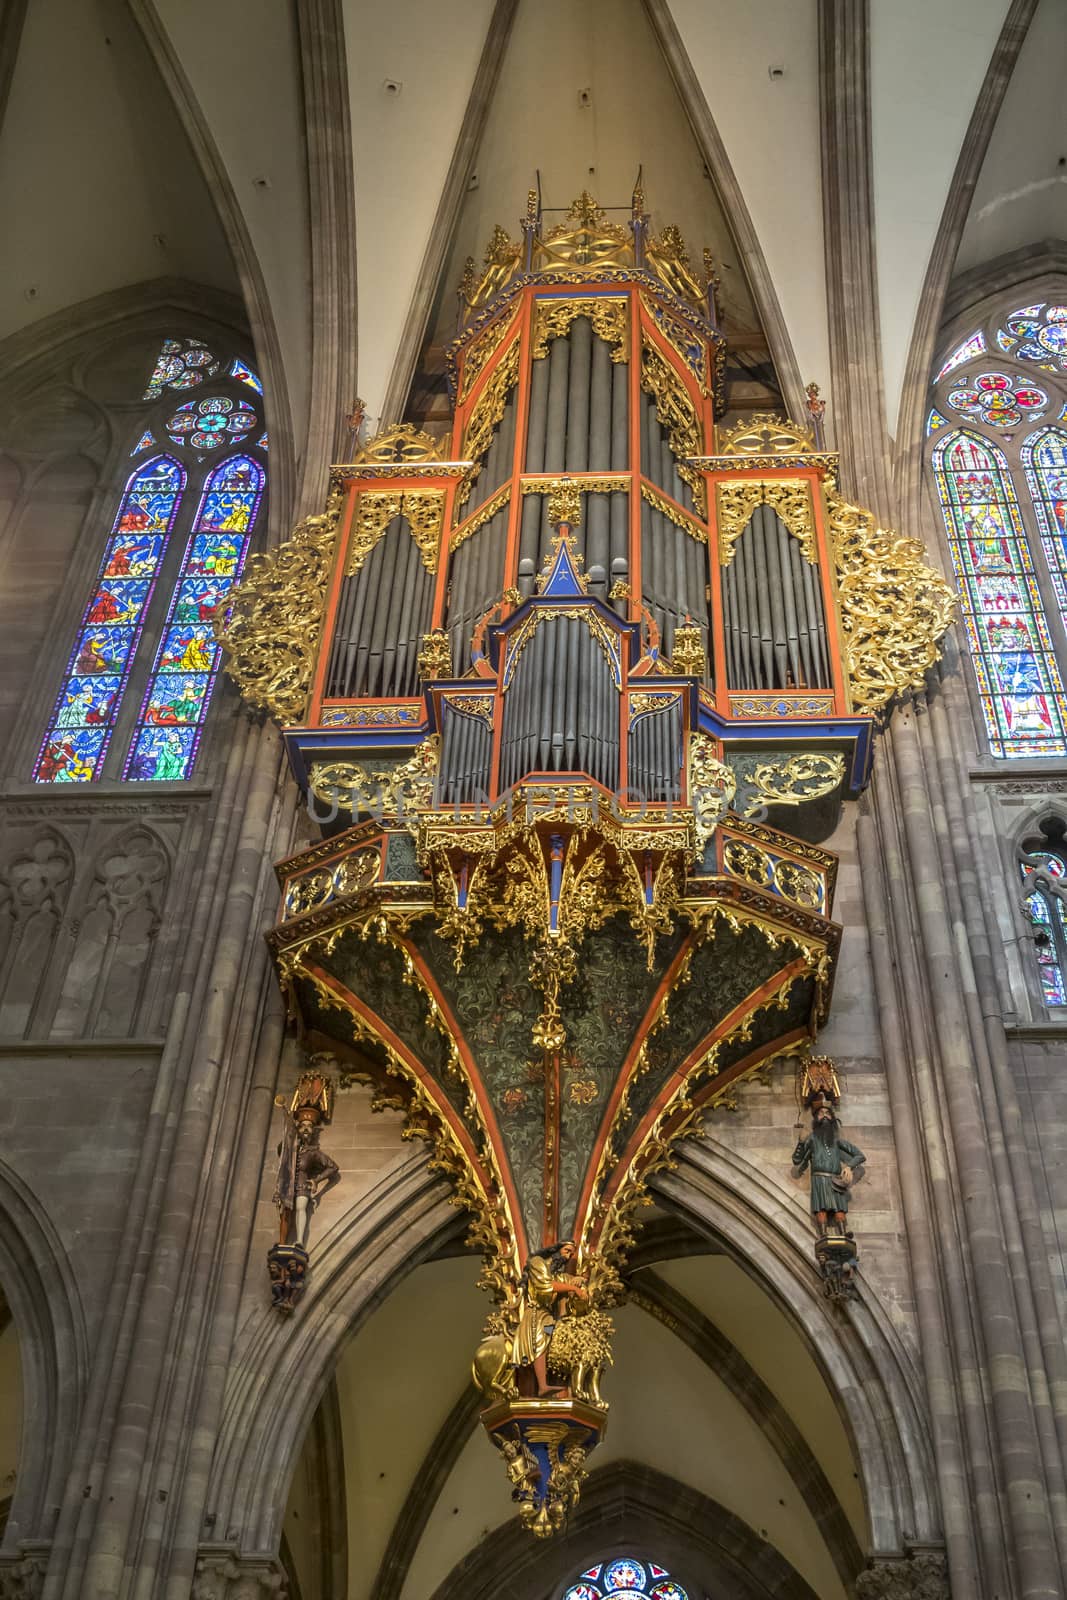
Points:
[631,1508]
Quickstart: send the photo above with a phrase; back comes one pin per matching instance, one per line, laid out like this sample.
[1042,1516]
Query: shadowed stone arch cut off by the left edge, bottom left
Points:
[49,1319]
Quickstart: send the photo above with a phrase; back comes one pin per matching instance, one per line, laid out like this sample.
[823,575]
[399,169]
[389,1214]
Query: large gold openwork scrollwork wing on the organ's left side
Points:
[270,628]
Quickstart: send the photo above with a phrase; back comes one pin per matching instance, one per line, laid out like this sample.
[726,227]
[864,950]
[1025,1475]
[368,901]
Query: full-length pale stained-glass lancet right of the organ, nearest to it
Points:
[1020,682]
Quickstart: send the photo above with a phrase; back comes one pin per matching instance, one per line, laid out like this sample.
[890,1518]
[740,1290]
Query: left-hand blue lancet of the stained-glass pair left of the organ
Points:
[111,625]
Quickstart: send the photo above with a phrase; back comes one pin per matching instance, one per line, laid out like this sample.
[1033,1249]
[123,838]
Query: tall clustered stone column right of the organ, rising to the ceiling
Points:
[993,1358]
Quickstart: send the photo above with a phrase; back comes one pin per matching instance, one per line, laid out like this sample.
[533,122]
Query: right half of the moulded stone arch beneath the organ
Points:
[871,1377]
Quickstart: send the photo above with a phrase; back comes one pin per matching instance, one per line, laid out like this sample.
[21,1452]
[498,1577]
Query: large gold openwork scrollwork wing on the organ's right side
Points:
[893,607]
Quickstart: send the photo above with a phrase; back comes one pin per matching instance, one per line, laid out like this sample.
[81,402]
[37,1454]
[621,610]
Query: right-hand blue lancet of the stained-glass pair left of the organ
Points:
[177,700]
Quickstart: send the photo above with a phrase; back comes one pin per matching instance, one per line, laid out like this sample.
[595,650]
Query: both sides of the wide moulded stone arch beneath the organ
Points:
[286,1366]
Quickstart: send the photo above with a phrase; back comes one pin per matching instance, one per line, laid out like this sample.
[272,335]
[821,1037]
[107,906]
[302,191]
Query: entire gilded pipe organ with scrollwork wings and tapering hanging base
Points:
[556,689]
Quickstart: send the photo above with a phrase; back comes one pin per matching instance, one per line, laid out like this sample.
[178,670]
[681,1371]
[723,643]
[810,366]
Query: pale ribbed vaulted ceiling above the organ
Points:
[151,138]
